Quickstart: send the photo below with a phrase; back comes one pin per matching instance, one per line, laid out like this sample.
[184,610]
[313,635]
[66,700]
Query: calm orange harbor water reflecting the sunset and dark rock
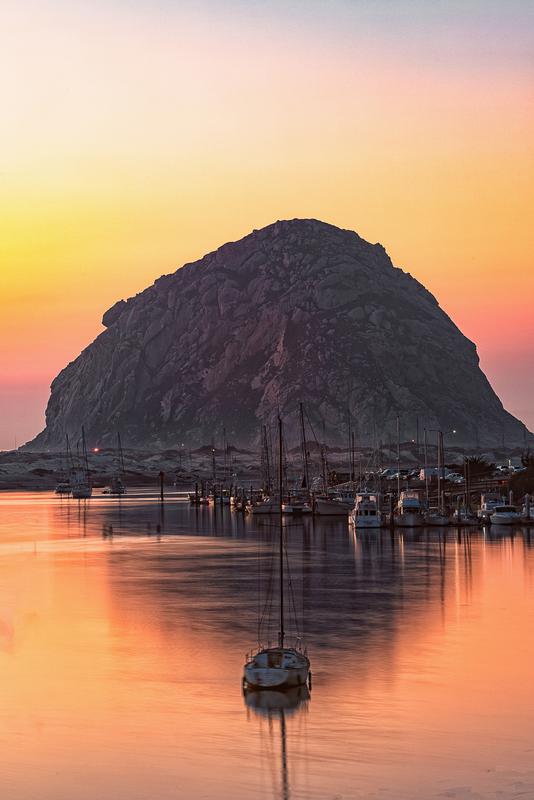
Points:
[121,655]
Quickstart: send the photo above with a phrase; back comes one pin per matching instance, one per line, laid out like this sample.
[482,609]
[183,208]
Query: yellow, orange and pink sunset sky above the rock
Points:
[137,136]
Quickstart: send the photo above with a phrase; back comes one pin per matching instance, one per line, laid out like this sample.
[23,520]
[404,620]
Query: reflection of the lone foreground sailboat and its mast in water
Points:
[271,705]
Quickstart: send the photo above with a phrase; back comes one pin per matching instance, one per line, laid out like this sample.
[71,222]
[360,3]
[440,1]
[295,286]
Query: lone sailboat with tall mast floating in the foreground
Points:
[278,667]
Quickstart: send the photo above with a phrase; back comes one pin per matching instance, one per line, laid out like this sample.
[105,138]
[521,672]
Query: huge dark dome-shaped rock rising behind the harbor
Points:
[299,310]
